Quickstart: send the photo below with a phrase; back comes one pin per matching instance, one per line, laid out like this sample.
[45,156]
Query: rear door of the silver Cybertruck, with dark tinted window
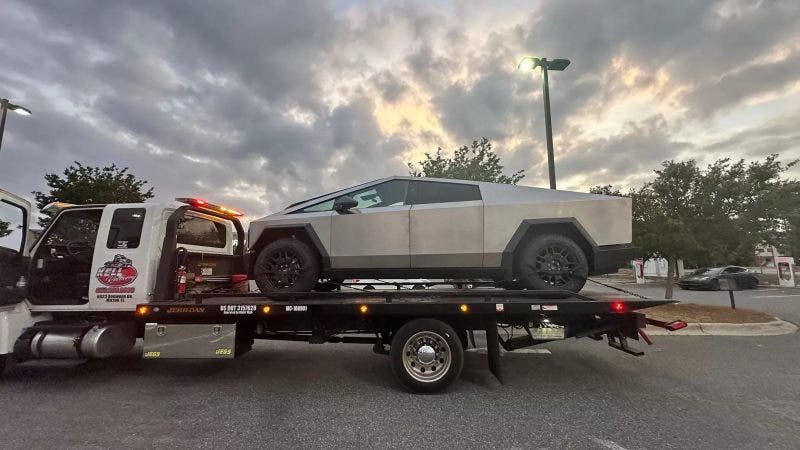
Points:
[446,225]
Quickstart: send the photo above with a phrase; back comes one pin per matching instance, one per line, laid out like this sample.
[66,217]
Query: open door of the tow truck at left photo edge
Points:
[14,216]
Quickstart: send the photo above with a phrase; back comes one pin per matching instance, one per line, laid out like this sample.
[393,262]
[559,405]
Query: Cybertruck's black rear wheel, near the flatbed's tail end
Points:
[552,261]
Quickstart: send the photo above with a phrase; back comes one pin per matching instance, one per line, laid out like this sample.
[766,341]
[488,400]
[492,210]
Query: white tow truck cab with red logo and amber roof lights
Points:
[106,259]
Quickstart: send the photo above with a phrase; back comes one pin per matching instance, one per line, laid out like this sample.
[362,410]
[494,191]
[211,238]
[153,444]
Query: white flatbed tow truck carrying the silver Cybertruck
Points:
[144,274]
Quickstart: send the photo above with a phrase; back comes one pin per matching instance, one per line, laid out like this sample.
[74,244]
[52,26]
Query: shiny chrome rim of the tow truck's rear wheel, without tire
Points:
[426,356]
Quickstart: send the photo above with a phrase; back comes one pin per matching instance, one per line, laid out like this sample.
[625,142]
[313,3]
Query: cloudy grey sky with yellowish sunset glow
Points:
[256,104]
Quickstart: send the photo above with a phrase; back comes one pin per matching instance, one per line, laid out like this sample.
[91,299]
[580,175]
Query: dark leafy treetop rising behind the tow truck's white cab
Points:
[83,185]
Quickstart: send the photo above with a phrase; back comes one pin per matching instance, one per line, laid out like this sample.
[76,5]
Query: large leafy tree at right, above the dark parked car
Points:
[713,216]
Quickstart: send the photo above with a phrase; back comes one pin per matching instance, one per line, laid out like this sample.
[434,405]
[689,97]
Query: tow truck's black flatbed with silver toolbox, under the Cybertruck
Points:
[387,318]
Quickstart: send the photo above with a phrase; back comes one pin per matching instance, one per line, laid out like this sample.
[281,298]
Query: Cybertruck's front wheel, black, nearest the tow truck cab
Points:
[286,265]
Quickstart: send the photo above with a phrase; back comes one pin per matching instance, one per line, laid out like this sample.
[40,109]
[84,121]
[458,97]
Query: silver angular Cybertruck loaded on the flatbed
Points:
[407,227]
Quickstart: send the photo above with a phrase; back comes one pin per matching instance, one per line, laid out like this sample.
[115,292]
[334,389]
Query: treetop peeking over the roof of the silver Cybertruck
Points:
[477,162]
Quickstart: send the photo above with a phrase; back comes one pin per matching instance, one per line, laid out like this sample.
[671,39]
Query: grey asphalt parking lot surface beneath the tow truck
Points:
[689,391]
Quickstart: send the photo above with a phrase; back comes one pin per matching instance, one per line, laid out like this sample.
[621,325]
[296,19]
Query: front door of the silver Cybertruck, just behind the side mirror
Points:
[375,234]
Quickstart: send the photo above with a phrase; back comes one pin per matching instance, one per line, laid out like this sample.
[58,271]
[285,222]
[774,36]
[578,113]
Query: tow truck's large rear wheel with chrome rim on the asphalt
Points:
[427,355]
